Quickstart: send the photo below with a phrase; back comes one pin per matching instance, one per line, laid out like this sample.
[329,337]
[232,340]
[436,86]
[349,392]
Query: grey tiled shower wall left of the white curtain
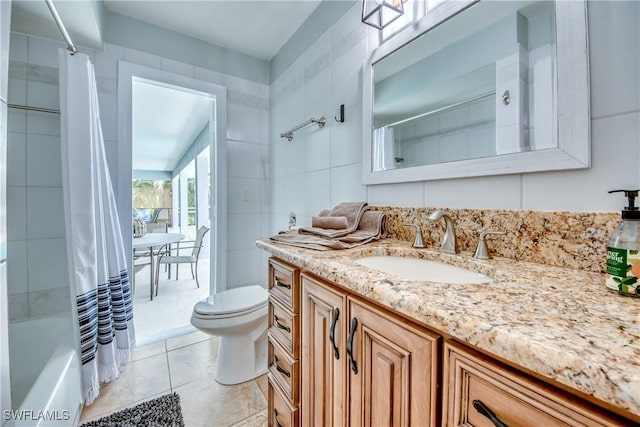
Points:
[37,263]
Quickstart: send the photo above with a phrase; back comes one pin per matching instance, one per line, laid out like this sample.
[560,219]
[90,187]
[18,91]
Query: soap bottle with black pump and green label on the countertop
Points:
[623,250]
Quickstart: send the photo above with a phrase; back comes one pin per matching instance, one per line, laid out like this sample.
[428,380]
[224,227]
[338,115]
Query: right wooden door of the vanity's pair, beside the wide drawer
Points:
[392,371]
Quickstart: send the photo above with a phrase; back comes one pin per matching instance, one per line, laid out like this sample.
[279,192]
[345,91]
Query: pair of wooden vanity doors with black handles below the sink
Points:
[362,366]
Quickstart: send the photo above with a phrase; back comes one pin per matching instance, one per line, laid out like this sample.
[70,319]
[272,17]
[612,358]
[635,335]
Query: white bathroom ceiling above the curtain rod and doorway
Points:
[256,28]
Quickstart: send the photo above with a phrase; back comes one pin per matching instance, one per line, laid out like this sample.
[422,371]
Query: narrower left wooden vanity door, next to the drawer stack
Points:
[323,355]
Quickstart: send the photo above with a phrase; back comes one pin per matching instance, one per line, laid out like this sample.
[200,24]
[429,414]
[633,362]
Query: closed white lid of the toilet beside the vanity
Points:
[238,300]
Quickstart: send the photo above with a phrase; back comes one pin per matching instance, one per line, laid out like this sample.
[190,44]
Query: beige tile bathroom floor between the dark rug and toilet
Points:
[185,365]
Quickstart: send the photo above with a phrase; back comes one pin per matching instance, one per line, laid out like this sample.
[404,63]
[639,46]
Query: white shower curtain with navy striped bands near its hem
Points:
[97,263]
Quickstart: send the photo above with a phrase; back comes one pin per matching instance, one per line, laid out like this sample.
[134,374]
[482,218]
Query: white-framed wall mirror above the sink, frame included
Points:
[479,88]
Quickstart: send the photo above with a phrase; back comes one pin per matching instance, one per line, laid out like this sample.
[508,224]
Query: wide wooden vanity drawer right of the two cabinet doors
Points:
[472,382]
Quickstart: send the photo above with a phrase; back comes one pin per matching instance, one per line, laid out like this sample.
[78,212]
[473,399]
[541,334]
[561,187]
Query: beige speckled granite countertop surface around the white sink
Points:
[562,324]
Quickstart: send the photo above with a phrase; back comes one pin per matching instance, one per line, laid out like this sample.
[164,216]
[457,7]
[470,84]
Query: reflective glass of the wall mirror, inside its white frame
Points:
[480,85]
